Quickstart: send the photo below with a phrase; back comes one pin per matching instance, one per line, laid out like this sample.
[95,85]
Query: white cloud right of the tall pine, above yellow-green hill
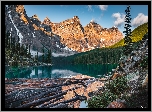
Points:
[140,19]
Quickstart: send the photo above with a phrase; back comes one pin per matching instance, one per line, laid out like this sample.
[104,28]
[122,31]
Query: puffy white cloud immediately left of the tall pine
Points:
[119,19]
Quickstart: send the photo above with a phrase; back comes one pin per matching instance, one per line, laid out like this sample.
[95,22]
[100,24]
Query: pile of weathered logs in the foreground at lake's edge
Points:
[49,93]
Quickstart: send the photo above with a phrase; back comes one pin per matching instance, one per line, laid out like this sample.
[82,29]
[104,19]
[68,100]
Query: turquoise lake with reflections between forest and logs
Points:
[59,71]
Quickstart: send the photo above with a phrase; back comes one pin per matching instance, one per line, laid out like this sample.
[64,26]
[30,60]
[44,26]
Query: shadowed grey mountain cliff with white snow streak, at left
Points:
[31,31]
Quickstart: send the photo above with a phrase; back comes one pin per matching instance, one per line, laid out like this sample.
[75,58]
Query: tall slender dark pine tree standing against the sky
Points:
[127,39]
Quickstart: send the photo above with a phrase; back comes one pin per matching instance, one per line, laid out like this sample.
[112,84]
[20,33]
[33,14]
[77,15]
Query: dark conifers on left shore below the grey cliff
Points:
[17,54]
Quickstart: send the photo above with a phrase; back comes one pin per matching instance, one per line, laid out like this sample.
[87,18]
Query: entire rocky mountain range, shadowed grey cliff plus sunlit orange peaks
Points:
[65,37]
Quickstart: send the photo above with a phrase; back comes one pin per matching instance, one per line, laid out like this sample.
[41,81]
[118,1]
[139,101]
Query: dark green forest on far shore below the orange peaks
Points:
[96,56]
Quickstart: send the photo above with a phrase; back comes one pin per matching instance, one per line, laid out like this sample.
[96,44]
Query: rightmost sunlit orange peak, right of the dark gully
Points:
[101,37]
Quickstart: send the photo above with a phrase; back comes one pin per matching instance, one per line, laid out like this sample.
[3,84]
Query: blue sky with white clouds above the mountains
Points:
[106,16]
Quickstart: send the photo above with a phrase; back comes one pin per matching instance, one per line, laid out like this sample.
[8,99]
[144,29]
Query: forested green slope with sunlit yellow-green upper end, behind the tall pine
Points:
[108,54]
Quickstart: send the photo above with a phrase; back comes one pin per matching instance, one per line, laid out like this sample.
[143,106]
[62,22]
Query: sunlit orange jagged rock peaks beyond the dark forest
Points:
[86,38]
